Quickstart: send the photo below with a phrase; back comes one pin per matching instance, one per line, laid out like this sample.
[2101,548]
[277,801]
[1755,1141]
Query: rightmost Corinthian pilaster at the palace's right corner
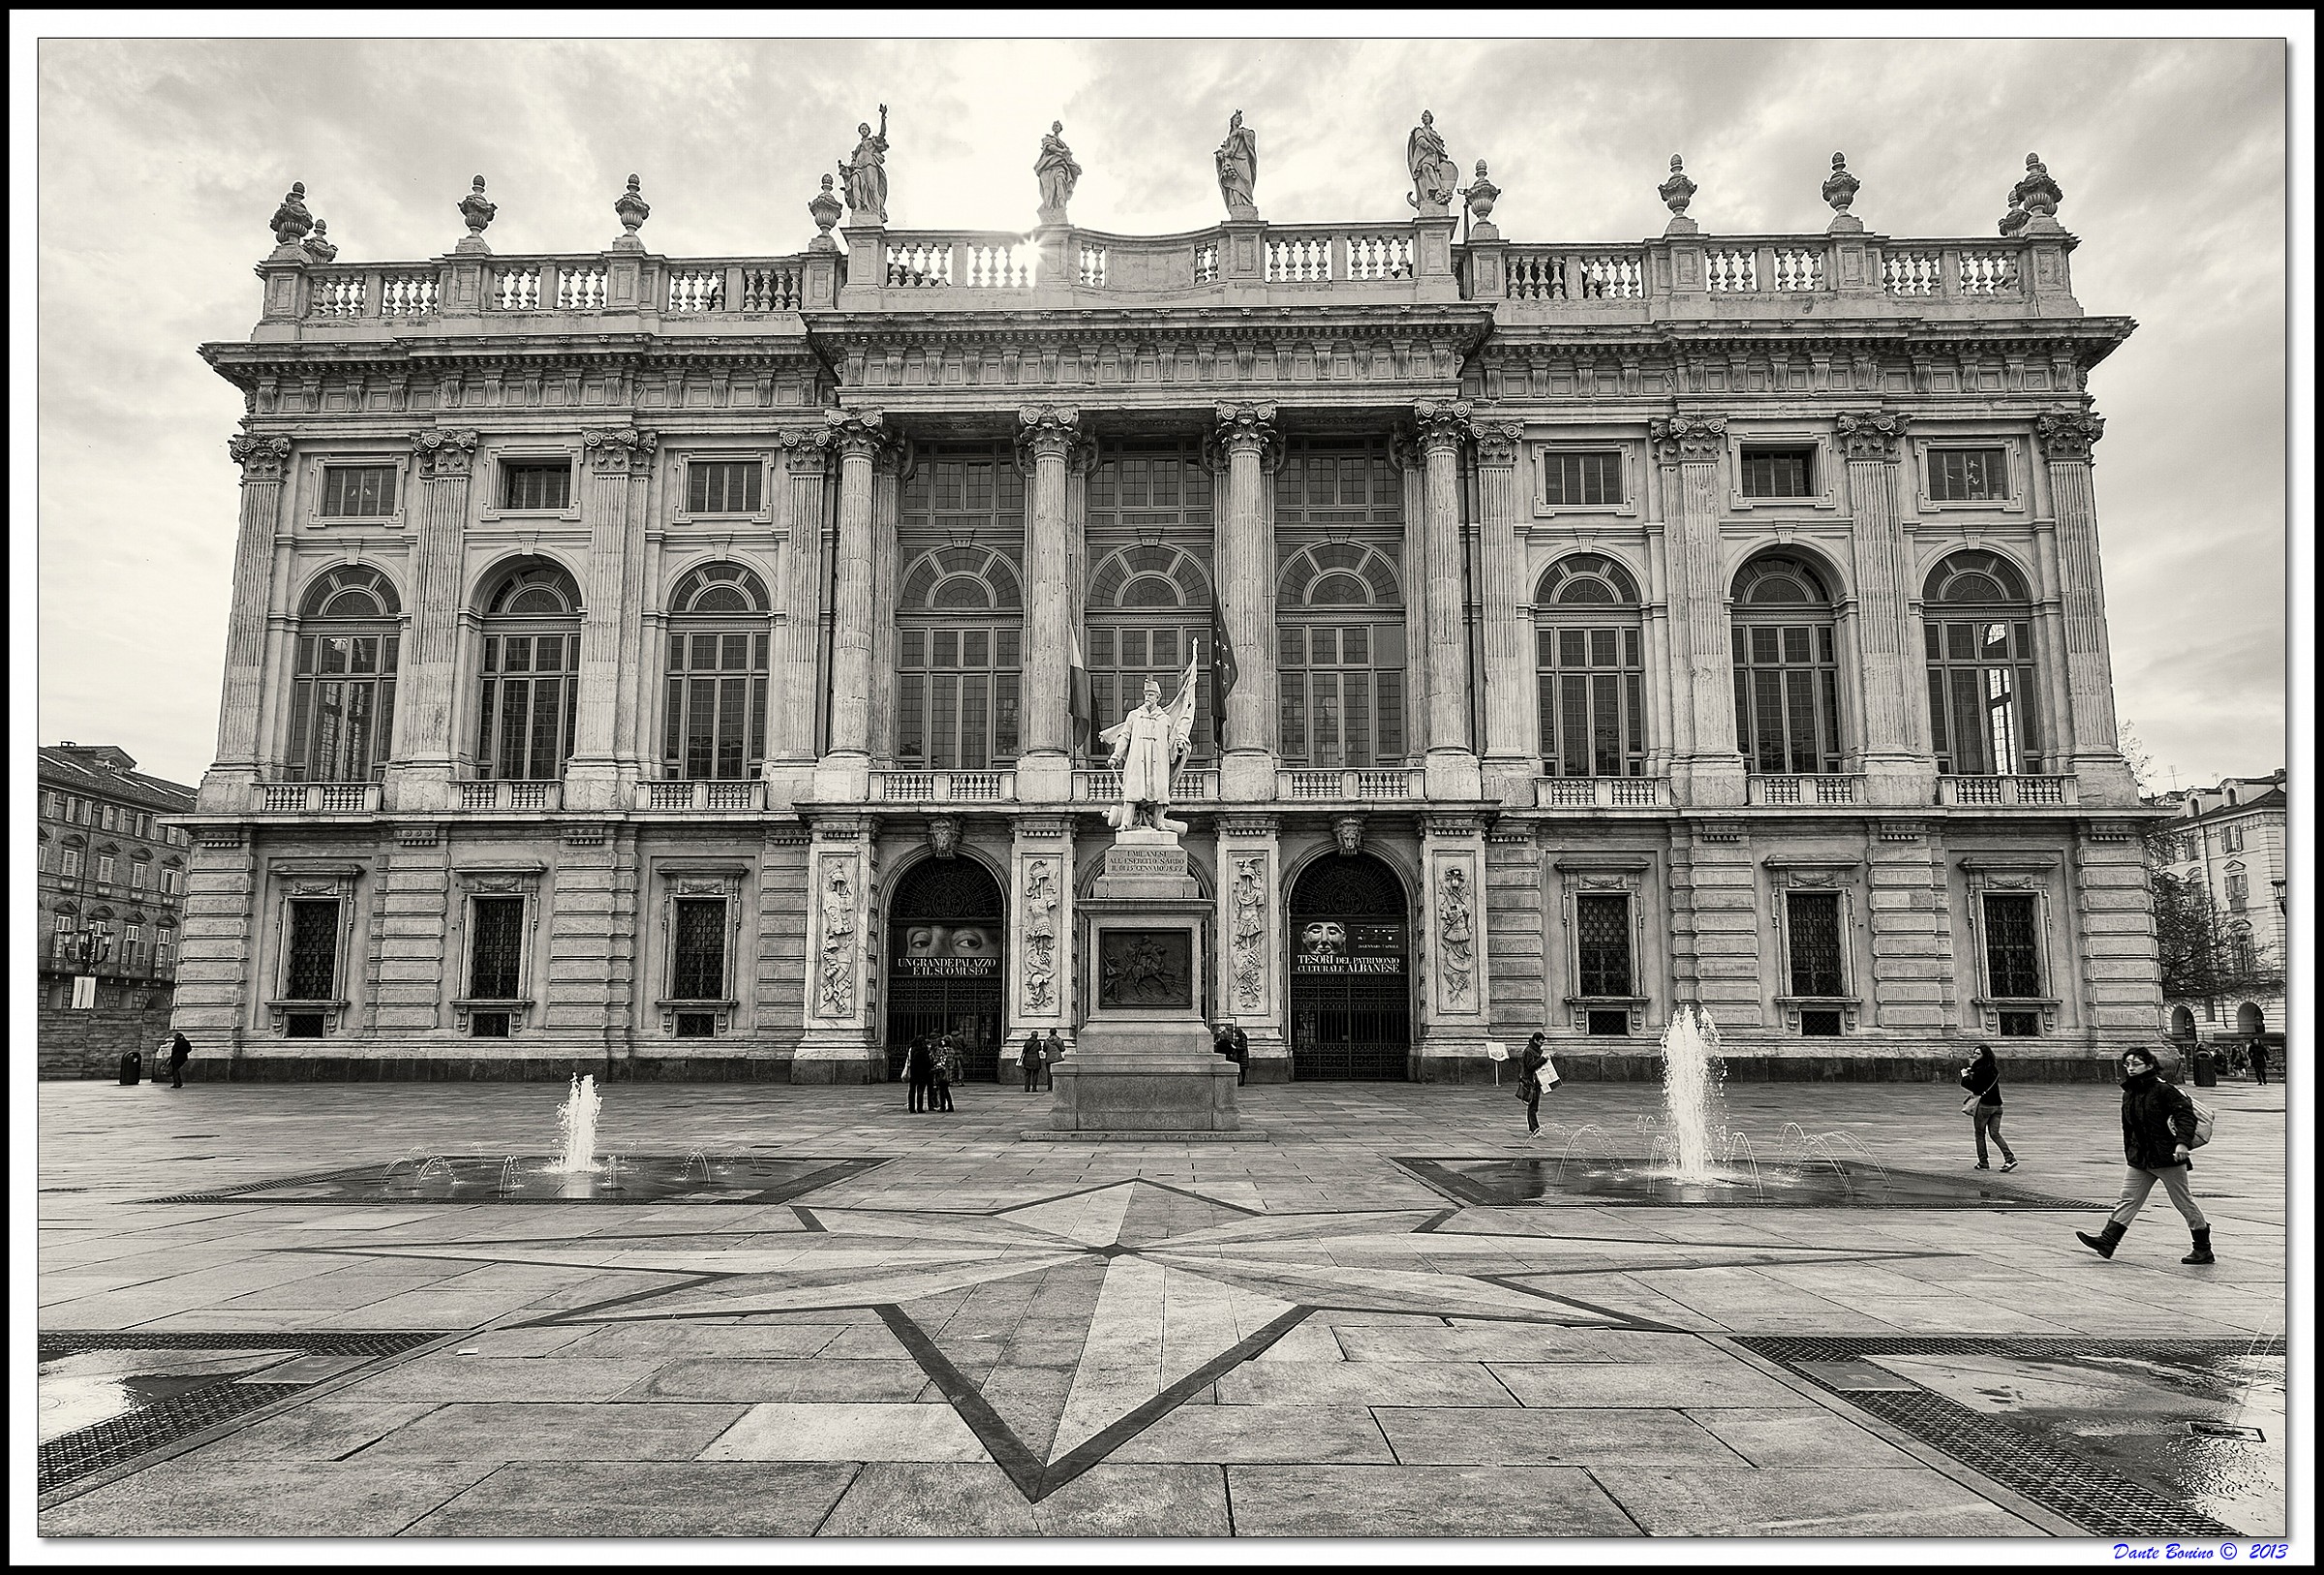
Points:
[2093,745]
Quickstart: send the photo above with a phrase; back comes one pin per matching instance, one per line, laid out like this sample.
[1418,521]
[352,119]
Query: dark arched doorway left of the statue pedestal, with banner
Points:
[947,928]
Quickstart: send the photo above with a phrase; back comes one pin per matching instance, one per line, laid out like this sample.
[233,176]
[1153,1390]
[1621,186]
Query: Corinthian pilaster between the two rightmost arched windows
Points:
[1895,731]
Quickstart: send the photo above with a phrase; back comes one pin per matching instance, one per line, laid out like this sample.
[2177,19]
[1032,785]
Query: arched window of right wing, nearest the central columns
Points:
[1591,670]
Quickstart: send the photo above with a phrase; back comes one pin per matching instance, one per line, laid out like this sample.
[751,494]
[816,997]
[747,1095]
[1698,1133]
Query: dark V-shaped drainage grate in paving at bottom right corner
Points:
[2086,1493]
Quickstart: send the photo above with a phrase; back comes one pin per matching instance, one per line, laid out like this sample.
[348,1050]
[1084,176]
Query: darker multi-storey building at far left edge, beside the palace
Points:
[110,879]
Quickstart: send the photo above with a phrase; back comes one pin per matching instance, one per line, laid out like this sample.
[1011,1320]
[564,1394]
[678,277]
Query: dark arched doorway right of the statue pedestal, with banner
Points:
[1351,970]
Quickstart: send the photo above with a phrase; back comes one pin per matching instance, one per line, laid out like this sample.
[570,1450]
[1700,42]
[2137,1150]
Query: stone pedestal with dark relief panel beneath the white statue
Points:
[1145,1060]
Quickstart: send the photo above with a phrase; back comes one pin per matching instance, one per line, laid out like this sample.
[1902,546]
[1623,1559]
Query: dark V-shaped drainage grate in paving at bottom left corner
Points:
[164,1423]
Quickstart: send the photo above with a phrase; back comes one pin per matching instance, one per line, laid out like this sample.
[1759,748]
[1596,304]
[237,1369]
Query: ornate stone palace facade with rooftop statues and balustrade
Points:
[694,666]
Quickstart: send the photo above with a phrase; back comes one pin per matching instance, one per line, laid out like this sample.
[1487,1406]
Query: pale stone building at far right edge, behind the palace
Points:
[2230,849]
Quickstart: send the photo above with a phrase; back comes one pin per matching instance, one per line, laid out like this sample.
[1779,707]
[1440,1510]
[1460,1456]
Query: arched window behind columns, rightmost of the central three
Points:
[1340,654]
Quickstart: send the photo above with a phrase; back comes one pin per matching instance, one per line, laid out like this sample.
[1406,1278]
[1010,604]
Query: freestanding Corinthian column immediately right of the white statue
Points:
[1247,589]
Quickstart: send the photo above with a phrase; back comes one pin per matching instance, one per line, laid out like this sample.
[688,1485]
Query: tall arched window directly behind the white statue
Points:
[1149,610]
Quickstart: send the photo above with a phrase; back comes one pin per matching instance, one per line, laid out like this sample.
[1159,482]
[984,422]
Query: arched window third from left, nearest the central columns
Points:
[715,710]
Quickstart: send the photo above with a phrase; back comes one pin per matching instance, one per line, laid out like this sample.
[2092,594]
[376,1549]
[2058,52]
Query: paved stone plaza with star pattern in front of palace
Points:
[313,1311]
